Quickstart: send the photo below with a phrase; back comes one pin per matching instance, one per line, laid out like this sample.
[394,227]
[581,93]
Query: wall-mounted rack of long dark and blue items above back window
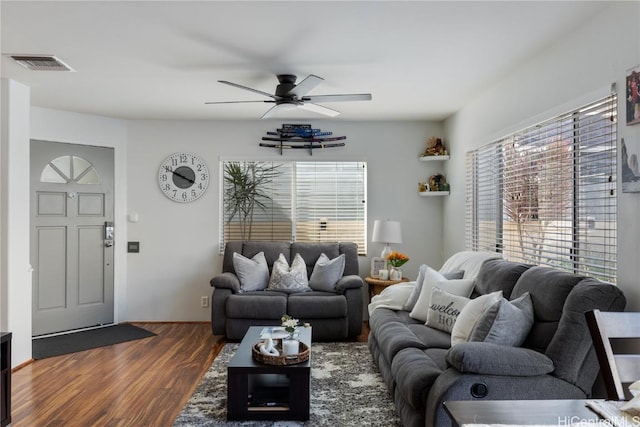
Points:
[294,136]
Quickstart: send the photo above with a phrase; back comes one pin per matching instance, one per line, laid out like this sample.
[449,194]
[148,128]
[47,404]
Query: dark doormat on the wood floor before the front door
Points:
[85,340]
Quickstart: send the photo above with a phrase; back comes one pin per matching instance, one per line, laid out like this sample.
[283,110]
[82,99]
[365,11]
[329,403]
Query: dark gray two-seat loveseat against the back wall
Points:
[333,315]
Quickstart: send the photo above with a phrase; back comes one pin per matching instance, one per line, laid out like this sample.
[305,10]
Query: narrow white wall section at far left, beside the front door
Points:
[15,305]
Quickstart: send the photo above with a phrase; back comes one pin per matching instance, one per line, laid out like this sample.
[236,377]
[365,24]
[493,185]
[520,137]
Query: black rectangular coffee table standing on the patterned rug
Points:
[257,391]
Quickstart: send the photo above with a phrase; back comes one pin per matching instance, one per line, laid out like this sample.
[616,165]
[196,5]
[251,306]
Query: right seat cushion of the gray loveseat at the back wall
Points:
[317,304]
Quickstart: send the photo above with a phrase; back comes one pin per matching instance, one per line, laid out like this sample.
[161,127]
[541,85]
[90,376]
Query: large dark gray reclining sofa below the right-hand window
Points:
[556,361]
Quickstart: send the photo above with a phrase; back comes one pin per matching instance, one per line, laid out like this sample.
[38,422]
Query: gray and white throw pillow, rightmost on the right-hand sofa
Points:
[506,322]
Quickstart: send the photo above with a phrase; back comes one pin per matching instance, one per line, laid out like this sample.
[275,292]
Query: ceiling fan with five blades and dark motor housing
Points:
[289,94]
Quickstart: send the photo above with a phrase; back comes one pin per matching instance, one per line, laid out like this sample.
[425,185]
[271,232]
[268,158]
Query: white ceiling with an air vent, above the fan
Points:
[421,60]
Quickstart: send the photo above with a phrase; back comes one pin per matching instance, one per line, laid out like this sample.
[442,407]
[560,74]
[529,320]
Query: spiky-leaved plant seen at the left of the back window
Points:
[245,190]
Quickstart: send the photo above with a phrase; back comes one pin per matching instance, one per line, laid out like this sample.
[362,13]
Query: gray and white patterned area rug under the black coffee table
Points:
[346,390]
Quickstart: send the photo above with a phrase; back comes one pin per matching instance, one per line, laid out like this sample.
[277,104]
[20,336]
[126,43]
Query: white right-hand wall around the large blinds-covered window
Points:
[563,76]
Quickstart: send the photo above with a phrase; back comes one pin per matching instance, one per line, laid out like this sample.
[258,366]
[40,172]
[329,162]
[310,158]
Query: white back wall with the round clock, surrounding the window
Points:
[179,242]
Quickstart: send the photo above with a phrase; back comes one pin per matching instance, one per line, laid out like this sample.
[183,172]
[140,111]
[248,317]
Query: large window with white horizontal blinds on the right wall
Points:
[547,195]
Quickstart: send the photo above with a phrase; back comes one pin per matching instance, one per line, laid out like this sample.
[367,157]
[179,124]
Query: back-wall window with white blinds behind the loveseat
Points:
[294,201]
